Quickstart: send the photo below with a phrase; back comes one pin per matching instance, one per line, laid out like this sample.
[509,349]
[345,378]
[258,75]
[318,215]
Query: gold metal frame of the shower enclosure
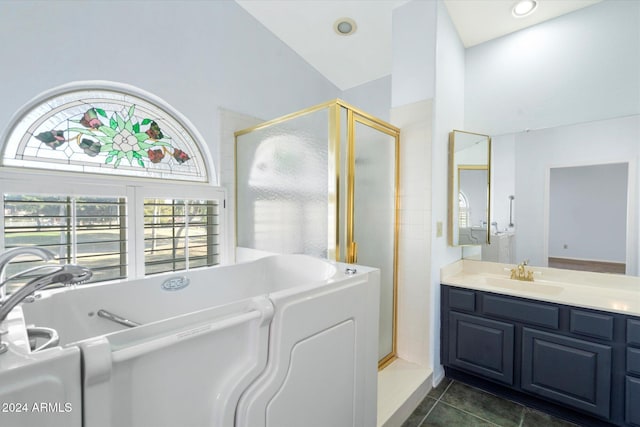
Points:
[334,251]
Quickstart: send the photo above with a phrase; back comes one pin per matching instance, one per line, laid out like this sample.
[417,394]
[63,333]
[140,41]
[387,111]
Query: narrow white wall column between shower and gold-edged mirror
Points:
[428,103]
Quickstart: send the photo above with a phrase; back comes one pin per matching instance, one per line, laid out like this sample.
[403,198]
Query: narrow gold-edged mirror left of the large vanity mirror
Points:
[469,188]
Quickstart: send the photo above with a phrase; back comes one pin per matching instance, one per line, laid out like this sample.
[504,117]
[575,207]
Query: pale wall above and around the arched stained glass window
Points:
[196,55]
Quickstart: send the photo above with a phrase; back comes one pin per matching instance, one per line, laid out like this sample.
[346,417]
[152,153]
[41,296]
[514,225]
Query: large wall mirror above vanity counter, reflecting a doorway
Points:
[567,197]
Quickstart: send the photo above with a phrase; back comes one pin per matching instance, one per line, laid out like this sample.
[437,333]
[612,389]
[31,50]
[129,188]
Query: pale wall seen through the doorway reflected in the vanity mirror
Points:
[588,212]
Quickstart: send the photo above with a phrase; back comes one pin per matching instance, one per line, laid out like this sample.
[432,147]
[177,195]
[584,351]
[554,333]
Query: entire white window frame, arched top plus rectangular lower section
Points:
[15,177]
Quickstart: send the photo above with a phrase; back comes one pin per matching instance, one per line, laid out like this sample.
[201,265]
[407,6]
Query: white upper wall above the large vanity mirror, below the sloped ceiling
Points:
[576,68]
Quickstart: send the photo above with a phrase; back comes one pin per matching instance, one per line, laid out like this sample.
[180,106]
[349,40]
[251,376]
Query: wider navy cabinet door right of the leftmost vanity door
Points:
[567,370]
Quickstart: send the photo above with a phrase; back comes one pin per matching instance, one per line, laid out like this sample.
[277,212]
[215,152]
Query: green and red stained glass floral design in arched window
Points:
[124,138]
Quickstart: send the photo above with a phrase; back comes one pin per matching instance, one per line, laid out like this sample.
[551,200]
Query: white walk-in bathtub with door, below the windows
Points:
[287,340]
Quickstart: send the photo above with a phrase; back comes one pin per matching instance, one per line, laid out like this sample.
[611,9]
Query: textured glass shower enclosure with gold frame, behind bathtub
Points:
[324,182]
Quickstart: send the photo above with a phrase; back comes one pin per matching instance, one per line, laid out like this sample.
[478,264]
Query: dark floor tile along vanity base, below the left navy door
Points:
[484,405]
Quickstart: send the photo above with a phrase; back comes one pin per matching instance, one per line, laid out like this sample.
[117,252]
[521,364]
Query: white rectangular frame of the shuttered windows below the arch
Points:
[50,182]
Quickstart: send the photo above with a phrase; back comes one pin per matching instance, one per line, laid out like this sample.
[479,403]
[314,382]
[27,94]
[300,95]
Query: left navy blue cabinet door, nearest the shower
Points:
[482,346]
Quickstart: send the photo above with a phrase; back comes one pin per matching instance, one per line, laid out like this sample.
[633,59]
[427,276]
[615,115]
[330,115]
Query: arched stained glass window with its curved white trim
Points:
[106,128]
